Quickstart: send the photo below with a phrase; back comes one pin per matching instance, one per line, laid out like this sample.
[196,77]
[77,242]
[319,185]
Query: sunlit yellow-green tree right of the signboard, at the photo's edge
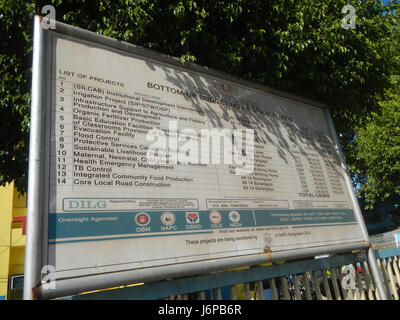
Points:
[374,153]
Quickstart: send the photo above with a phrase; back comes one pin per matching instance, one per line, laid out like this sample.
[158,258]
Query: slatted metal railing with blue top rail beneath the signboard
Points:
[337,277]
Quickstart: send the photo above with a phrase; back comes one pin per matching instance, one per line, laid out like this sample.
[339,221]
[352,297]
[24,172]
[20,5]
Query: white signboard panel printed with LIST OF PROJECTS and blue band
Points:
[110,208]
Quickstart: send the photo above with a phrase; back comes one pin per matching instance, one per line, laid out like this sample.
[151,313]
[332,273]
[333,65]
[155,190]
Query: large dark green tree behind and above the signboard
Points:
[294,45]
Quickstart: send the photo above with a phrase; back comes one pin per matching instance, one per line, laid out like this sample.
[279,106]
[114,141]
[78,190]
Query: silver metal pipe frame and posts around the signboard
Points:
[38,190]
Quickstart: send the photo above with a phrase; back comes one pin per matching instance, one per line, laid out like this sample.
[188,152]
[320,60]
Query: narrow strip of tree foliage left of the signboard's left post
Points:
[15,61]
